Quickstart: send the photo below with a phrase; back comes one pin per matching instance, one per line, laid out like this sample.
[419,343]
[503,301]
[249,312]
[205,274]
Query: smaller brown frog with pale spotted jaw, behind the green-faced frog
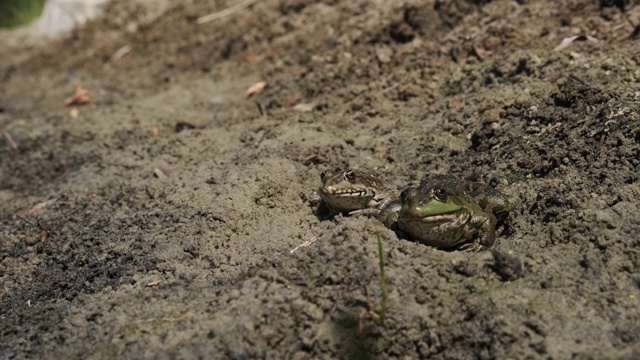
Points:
[355,192]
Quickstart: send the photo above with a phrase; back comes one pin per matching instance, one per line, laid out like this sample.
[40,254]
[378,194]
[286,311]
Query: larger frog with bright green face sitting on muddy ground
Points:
[447,213]
